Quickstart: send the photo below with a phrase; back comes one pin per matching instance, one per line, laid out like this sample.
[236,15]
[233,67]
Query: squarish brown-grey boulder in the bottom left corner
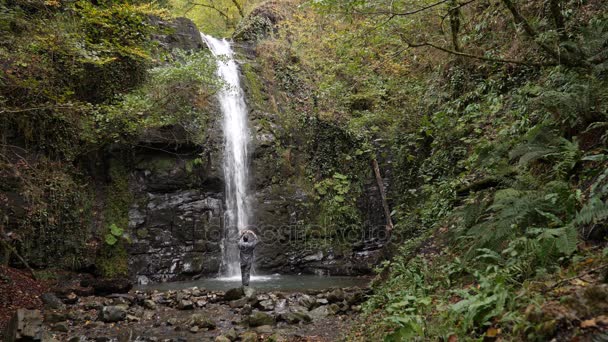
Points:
[25,325]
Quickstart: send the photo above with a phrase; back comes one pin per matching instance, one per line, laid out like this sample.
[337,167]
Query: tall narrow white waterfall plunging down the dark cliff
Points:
[235,163]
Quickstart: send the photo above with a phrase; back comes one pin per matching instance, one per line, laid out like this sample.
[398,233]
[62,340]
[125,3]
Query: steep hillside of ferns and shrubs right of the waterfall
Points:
[489,128]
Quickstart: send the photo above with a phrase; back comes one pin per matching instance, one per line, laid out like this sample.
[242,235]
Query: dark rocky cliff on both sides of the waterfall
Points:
[178,212]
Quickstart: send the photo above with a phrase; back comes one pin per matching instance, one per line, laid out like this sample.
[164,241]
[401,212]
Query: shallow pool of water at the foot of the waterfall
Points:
[275,282]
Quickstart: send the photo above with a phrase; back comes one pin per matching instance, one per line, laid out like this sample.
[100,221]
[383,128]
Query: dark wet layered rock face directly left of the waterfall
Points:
[176,218]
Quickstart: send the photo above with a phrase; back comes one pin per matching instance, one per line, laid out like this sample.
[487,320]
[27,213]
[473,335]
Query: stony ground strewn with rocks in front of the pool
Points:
[112,312]
